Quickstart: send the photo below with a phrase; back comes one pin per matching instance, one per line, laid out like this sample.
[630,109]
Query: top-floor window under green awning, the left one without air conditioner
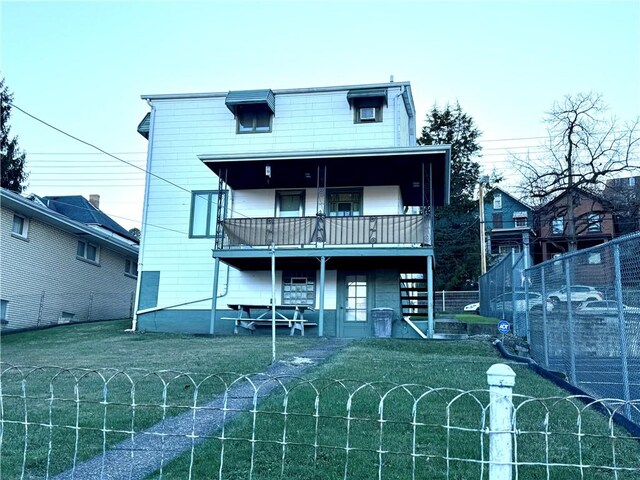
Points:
[253,109]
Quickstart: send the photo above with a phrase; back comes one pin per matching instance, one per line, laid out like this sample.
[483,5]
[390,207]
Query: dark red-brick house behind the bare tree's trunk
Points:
[593,225]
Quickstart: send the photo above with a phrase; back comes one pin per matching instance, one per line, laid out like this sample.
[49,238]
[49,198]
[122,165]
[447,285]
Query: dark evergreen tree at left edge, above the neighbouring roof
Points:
[12,158]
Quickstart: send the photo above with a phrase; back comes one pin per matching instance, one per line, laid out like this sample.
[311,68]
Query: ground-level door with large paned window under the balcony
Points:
[353,315]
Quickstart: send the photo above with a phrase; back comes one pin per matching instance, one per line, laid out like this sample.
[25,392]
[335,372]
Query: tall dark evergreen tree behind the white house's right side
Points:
[457,230]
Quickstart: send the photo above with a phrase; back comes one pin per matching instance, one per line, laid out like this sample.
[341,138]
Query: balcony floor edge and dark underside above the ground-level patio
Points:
[406,260]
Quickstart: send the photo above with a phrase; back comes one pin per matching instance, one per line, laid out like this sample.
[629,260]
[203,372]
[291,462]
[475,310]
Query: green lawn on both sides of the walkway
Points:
[332,419]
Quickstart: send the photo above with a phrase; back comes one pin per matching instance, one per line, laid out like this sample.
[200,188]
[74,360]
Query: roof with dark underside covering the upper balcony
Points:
[349,168]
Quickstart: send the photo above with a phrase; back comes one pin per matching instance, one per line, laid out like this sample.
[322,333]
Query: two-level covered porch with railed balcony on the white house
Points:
[354,249]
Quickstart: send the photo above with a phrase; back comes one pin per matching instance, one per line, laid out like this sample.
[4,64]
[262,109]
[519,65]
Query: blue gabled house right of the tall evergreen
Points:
[508,224]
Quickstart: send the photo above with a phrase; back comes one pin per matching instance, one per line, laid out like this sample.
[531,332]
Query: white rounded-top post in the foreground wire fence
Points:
[501,379]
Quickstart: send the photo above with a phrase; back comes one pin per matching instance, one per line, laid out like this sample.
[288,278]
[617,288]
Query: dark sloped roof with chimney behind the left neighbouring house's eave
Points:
[78,208]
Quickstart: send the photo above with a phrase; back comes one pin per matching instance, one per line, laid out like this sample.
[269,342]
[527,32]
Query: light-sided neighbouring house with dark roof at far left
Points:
[55,269]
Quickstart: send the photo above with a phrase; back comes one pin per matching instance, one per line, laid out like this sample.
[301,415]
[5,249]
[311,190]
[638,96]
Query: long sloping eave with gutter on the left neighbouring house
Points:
[30,209]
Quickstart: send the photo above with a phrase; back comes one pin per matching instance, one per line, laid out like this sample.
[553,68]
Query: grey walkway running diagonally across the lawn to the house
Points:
[148,451]
